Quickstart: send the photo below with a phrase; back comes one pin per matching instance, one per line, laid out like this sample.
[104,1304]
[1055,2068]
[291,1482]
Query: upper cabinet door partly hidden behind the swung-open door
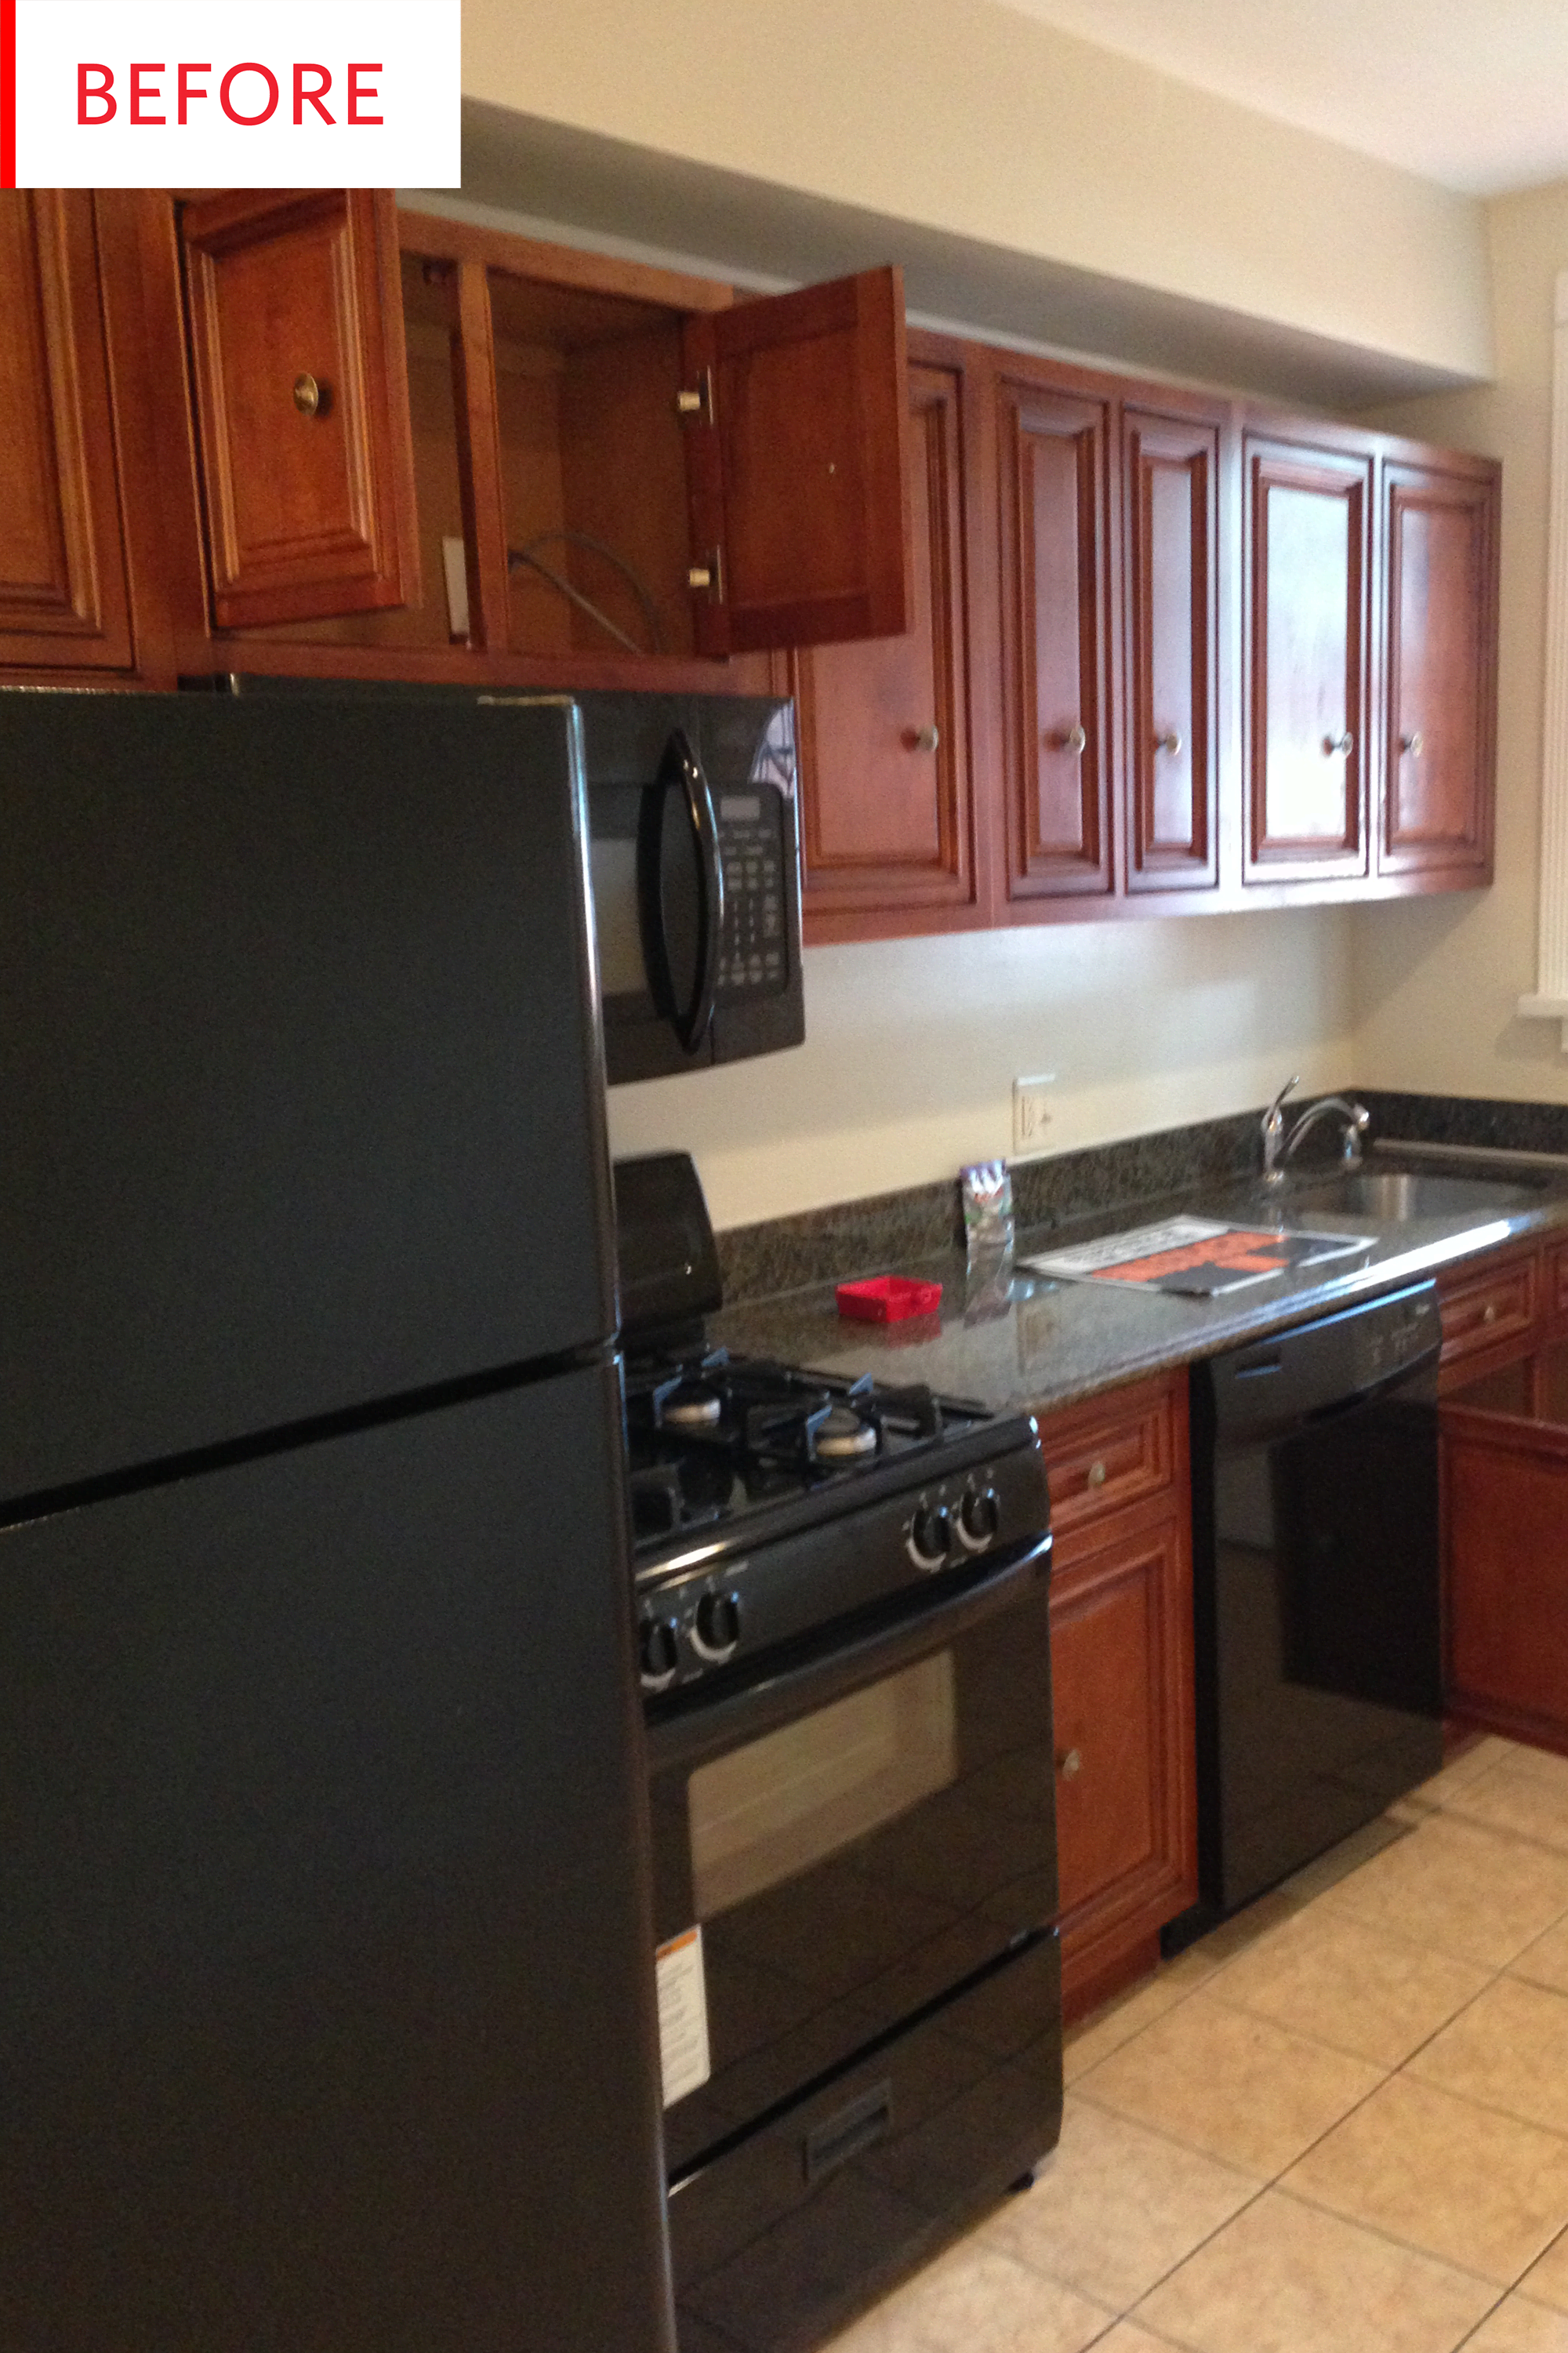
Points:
[884,726]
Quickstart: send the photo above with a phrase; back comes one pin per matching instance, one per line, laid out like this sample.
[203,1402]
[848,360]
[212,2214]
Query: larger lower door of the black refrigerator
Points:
[326,1954]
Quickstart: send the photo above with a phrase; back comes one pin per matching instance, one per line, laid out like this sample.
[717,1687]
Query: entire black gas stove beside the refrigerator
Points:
[844,1620]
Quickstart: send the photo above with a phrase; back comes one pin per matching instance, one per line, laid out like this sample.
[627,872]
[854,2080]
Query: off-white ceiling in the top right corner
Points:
[1466,93]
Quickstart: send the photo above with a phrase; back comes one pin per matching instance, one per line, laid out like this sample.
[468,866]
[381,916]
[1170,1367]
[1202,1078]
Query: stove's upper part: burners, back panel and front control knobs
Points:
[771,1500]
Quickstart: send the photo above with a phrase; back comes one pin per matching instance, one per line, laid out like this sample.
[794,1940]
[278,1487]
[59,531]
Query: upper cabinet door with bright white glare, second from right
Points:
[1308,662]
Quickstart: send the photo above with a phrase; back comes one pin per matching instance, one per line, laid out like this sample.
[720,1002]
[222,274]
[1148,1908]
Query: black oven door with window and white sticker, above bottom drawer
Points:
[849,1839]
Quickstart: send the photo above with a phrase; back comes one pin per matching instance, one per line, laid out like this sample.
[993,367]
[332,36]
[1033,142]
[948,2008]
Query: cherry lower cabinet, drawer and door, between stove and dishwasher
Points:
[1122,1681]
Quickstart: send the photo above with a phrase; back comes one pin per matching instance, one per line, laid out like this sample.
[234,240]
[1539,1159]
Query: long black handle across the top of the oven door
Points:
[835,1667]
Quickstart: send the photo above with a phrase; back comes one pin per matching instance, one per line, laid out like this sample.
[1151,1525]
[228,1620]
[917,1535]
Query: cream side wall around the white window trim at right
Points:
[1435,982]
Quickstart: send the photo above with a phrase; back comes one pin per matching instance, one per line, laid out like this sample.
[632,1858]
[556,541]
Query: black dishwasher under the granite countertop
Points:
[1320,1684]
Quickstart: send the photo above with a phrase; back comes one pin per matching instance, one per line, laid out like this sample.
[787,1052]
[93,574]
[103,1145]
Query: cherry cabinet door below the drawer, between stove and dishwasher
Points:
[1122,1707]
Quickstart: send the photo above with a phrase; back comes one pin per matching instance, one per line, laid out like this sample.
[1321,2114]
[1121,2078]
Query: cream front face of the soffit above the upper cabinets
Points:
[985,124]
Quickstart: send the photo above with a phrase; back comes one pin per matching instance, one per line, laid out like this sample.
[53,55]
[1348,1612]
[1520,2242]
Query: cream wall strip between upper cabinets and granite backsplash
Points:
[912,1051]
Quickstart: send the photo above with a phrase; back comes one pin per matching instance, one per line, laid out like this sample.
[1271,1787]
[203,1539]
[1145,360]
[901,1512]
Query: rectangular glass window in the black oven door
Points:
[764,1813]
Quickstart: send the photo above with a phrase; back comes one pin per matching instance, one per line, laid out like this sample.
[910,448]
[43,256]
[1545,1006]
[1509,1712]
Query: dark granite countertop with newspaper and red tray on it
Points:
[1037,1342]
